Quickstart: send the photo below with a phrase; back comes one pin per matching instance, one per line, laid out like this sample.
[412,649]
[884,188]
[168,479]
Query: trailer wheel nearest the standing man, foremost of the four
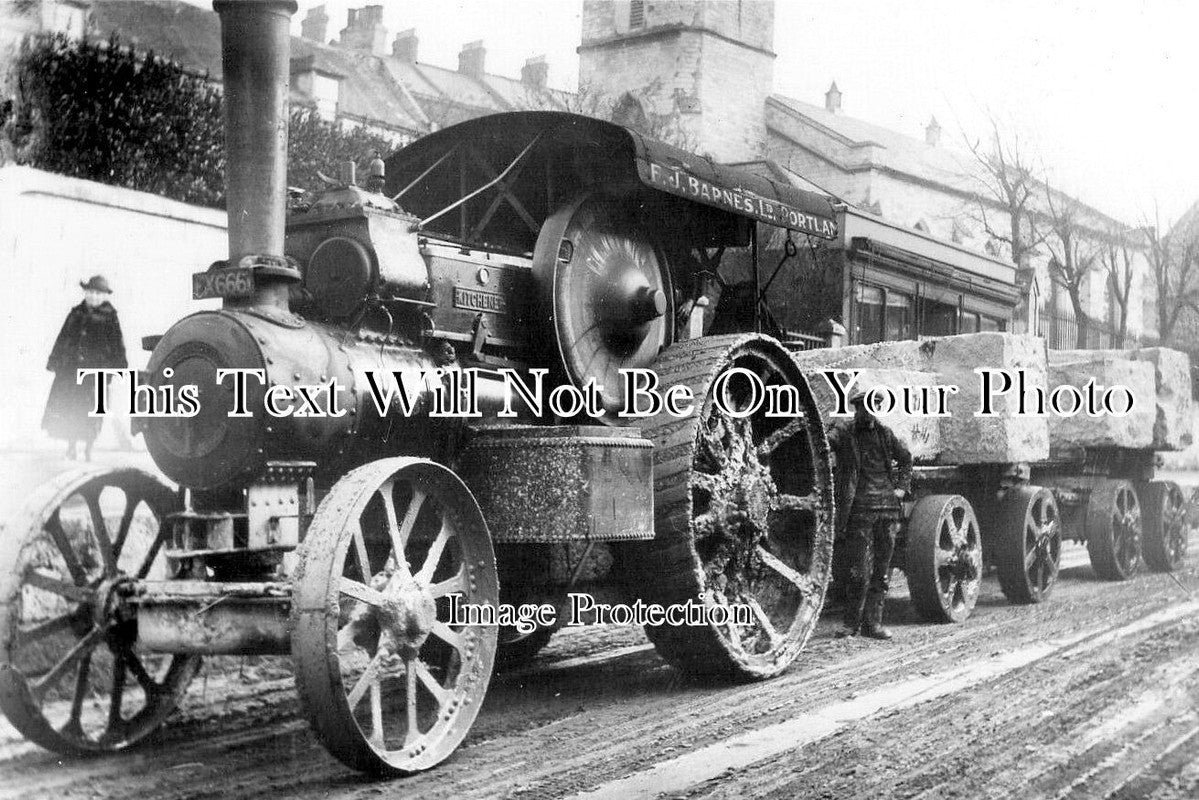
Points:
[944,558]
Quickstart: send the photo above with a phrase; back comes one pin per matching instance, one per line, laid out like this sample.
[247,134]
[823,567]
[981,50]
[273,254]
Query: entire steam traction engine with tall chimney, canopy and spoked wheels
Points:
[522,242]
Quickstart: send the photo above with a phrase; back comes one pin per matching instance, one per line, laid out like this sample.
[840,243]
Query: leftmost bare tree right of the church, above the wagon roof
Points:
[1008,188]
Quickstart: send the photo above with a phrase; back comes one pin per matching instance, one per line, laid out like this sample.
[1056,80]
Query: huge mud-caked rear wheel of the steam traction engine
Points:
[743,513]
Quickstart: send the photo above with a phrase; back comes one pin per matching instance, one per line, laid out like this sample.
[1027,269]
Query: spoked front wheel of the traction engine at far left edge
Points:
[71,676]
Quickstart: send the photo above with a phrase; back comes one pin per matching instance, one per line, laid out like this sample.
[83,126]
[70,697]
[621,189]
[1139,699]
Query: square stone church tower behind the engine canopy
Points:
[692,73]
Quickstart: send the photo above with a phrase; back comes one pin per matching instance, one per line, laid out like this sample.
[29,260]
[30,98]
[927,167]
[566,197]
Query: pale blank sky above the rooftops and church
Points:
[1105,94]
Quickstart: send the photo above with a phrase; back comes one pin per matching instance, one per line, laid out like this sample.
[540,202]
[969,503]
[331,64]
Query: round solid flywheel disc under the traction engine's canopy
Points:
[605,288]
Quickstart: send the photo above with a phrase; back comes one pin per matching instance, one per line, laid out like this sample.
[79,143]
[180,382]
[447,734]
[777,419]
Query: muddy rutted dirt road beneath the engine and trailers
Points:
[1094,694]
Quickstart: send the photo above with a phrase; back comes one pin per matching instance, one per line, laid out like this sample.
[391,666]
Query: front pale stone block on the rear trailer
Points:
[1107,369]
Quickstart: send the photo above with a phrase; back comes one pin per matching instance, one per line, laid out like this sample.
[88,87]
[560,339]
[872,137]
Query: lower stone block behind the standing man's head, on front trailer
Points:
[918,430]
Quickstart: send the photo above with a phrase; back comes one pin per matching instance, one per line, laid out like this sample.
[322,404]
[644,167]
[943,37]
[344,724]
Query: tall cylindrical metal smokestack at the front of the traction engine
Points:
[255,50]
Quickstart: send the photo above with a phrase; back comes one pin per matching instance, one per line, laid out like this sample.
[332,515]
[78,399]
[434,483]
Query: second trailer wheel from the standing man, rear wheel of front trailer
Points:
[1028,544]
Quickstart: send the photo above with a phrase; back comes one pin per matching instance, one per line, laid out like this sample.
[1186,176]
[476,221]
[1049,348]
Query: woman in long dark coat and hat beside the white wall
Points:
[91,339]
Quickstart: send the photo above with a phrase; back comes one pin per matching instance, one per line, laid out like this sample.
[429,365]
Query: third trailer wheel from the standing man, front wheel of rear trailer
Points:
[1114,530]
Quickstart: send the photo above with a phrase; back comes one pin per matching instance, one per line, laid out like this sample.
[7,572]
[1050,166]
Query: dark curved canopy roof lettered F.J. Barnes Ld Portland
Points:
[544,159]
